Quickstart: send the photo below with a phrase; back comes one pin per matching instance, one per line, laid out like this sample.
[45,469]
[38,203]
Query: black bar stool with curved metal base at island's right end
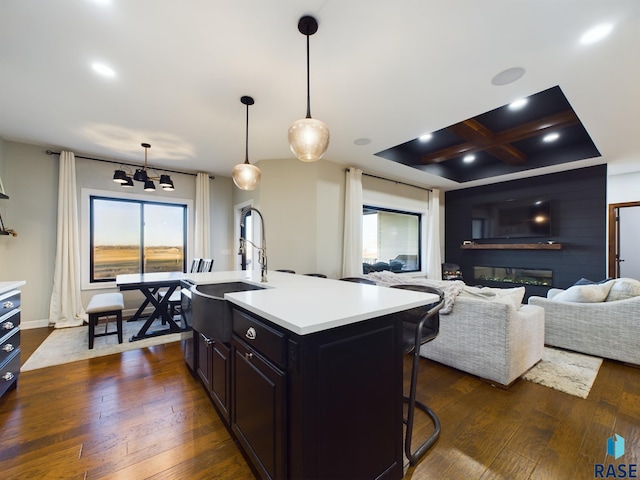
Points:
[419,325]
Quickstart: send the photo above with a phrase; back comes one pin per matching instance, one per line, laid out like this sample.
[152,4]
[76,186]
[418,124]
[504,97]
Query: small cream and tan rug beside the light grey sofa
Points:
[568,372]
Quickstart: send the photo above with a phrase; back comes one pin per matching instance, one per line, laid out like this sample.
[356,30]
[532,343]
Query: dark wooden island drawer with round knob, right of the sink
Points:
[261,337]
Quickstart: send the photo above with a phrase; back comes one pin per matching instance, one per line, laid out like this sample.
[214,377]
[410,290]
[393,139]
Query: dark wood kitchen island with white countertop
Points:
[310,381]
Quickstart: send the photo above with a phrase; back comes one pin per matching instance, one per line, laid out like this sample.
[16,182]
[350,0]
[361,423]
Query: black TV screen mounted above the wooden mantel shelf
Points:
[512,218]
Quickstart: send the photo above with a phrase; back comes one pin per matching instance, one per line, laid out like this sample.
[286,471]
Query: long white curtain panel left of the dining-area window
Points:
[65,309]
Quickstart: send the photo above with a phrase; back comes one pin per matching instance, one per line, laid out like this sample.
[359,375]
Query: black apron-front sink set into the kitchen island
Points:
[211,313]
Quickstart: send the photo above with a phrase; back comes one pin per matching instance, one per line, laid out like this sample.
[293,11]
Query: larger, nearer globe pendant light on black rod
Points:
[308,137]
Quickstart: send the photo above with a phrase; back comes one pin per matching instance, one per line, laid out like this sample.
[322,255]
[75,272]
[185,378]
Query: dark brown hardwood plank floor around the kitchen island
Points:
[140,415]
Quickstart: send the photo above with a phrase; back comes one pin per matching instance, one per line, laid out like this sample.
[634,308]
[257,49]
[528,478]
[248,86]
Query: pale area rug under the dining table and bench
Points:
[67,345]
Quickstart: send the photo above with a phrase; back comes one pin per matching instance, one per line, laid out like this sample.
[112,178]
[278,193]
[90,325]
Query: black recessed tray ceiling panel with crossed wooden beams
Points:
[503,141]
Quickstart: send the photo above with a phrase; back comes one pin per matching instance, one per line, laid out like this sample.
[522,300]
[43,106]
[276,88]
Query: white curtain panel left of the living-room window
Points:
[352,248]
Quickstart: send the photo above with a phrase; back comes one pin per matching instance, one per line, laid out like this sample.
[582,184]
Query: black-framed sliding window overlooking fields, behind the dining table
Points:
[135,236]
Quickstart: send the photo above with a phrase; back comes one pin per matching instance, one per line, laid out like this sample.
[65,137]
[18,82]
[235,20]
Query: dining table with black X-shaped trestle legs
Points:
[150,284]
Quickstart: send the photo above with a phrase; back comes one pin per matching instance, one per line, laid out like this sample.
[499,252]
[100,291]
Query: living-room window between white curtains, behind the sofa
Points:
[391,240]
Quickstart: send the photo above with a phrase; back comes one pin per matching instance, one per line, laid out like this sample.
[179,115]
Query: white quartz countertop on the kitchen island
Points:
[305,305]
